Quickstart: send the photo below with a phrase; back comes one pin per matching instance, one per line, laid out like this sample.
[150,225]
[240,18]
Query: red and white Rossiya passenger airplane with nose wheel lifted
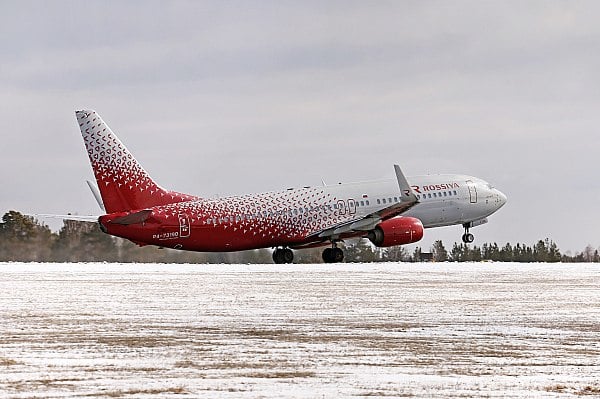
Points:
[387,212]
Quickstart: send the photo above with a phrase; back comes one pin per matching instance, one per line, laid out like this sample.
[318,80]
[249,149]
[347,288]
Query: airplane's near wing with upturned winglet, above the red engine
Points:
[408,199]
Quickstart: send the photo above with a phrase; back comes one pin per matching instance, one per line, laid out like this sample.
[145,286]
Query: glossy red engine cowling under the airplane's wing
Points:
[396,231]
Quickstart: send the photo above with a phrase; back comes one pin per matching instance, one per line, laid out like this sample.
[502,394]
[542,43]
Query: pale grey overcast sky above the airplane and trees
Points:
[221,98]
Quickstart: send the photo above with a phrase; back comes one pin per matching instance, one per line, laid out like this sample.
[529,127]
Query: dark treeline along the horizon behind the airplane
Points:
[24,239]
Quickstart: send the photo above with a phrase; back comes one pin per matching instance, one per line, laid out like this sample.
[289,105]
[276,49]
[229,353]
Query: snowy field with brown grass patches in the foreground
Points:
[299,331]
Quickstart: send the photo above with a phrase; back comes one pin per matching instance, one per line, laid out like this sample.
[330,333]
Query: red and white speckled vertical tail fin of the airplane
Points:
[124,185]
